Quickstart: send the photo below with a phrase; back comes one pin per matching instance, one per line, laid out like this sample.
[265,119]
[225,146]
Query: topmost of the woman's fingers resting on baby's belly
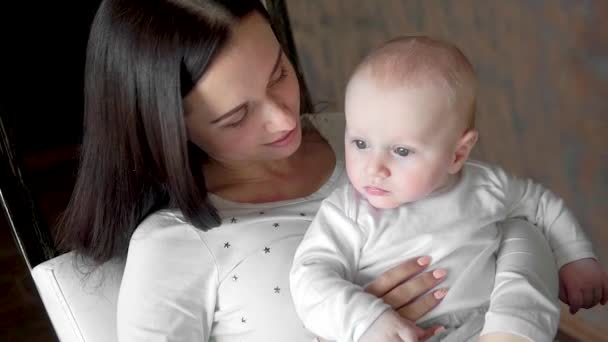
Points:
[397,275]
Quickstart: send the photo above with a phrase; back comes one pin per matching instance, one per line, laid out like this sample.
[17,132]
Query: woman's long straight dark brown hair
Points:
[143,56]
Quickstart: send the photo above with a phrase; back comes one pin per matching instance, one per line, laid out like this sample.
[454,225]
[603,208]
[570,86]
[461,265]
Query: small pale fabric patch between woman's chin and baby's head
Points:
[331,126]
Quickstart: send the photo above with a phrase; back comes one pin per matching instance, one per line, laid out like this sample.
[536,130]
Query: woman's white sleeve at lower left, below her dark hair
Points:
[168,291]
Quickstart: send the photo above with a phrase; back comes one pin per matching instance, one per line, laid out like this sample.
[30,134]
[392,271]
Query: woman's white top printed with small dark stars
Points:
[230,283]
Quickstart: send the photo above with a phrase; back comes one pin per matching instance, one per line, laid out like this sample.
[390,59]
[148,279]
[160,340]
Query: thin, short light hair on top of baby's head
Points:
[418,60]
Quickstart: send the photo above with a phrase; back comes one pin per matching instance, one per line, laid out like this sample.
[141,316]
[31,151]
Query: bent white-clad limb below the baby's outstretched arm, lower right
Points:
[524,301]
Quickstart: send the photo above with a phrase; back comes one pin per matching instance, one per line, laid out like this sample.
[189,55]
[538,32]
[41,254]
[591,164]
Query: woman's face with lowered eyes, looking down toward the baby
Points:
[246,106]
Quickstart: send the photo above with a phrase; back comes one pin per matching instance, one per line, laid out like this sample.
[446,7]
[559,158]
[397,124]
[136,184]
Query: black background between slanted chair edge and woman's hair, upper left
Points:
[41,102]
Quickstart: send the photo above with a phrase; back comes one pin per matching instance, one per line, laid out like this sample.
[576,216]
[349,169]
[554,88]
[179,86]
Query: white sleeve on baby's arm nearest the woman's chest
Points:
[325,264]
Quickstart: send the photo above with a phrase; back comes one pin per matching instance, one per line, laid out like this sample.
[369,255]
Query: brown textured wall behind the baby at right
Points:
[543,70]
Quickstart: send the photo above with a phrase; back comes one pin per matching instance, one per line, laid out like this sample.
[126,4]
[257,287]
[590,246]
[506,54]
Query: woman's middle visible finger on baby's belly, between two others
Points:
[413,288]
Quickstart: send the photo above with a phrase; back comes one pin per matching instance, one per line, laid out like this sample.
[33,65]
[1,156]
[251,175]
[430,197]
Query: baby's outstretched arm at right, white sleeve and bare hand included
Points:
[583,282]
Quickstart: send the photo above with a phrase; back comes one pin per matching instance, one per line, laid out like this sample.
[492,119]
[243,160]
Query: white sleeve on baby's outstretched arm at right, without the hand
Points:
[540,206]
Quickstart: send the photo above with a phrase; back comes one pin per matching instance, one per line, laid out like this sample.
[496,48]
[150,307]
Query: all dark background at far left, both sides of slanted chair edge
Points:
[42,52]
